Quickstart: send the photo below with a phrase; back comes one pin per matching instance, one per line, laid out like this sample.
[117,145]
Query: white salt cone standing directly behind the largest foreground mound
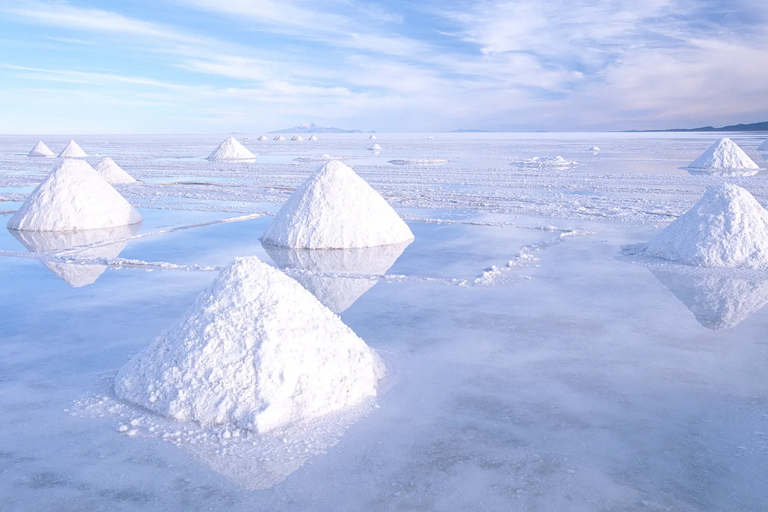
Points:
[336,209]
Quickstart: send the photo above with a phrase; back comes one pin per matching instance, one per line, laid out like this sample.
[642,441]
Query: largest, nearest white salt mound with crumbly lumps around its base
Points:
[256,351]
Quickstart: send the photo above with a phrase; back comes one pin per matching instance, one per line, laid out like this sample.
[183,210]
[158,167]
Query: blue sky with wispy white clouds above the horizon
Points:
[220,66]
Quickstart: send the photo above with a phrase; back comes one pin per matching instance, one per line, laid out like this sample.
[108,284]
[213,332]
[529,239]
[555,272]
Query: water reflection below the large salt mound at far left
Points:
[77,274]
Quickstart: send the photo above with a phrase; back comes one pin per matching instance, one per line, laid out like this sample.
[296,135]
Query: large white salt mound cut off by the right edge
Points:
[726,228]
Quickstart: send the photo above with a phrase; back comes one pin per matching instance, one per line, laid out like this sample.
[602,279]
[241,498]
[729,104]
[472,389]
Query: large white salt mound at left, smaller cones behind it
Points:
[73,197]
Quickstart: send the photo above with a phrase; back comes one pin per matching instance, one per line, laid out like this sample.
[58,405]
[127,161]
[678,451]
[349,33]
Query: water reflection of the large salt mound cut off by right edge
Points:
[717,301]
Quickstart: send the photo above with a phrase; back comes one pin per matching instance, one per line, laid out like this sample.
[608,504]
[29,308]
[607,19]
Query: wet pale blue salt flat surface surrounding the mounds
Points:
[581,379]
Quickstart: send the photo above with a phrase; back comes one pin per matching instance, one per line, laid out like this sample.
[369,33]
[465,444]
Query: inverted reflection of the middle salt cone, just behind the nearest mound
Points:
[336,292]
